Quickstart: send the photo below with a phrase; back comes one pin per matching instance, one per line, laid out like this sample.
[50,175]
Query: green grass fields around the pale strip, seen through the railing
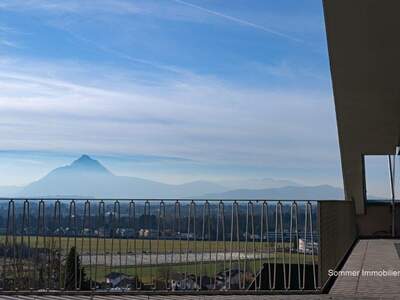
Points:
[147,274]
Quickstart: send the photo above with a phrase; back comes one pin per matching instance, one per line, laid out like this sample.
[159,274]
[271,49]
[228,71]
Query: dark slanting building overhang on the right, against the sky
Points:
[364,50]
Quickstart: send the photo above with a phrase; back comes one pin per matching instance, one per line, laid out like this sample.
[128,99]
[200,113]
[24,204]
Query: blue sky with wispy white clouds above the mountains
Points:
[168,90]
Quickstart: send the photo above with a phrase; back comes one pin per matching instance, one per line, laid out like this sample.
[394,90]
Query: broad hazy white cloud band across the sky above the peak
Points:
[191,116]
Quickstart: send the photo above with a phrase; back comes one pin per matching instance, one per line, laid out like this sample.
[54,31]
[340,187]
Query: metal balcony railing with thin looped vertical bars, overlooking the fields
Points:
[134,246]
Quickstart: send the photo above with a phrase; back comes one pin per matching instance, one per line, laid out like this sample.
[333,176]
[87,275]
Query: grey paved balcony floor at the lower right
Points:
[370,255]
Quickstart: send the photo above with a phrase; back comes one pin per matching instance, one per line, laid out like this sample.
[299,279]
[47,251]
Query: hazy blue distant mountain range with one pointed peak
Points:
[88,178]
